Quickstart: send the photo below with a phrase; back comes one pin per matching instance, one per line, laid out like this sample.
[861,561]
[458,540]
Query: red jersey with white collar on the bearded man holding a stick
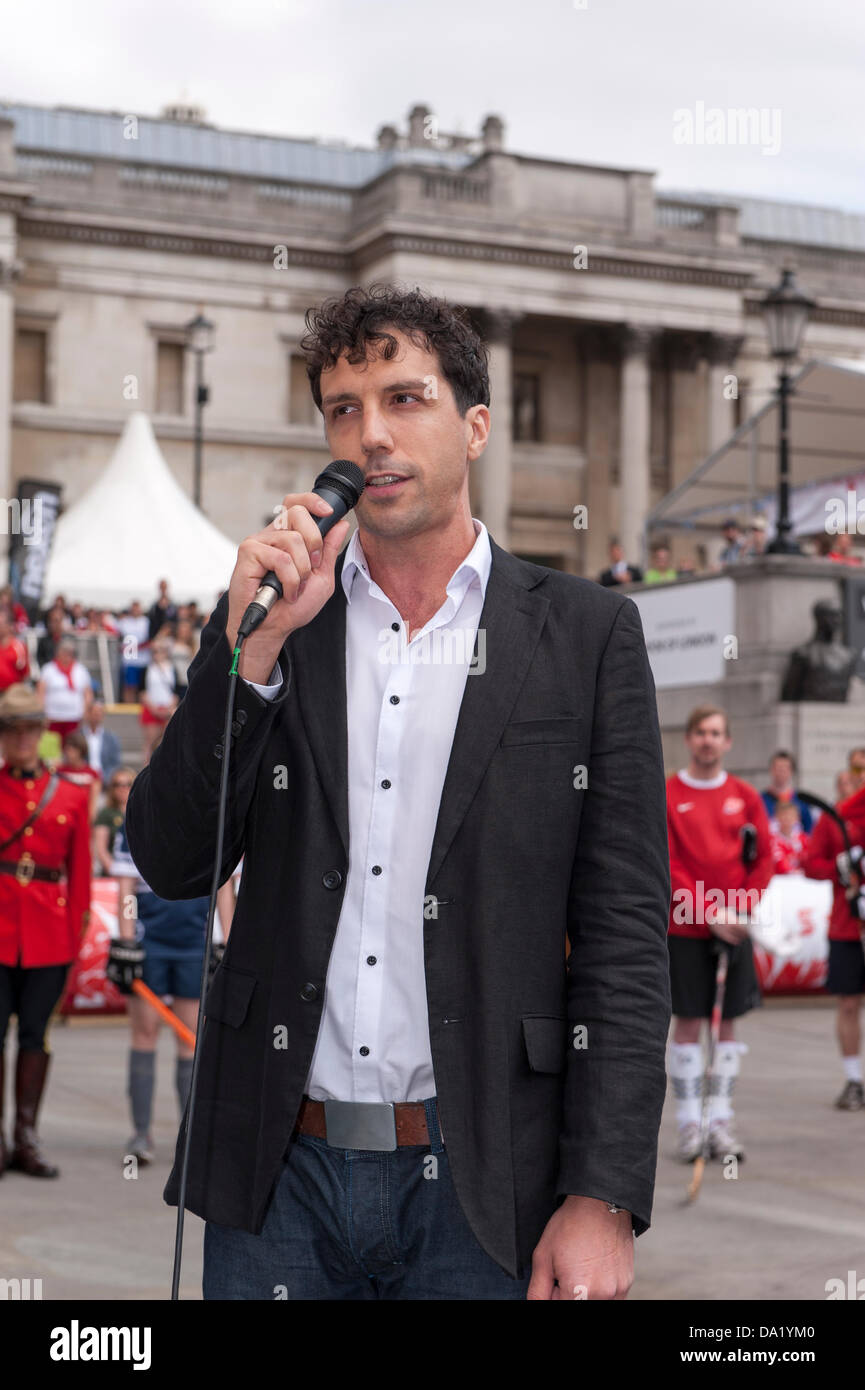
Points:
[704,828]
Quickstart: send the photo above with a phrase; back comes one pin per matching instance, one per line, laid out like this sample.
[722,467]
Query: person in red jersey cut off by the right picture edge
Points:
[846,957]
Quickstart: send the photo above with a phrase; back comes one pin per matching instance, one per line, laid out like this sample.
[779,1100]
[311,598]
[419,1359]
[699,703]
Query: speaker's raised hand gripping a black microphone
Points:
[284,576]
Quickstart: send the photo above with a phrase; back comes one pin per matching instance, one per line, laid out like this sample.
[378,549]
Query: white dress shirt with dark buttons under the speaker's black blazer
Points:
[375,1035]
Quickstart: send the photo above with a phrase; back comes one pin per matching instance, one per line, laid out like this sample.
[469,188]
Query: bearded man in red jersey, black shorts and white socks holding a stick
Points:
[714,893]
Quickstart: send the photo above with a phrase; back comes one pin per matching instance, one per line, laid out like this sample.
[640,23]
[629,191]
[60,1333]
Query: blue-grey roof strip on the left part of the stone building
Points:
[180,145]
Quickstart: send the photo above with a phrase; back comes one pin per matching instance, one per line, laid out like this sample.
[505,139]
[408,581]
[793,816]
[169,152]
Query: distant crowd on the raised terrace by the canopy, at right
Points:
[739,547]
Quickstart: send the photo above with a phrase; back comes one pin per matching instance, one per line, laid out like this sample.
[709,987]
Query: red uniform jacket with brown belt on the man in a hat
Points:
[41,924]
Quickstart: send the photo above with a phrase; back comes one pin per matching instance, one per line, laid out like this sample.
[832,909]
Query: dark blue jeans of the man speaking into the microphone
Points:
[353,1224]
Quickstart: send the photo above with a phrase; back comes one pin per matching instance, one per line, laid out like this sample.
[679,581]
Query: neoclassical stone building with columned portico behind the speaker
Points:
[614,311]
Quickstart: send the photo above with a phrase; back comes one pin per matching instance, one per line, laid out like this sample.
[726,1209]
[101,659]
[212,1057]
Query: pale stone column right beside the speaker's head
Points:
[496,462]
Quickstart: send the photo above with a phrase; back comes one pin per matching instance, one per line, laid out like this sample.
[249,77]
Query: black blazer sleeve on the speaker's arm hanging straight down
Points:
[618,982]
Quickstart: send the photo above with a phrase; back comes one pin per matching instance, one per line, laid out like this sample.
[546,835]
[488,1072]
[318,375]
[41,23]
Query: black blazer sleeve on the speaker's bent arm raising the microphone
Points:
[172,814]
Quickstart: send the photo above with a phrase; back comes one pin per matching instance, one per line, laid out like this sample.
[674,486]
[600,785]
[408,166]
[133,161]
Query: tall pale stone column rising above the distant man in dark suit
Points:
[635,439]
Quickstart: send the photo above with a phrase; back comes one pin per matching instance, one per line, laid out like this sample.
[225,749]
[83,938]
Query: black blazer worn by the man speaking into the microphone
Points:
[522,860]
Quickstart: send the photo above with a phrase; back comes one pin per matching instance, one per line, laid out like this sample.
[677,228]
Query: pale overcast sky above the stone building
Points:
[599,84]
